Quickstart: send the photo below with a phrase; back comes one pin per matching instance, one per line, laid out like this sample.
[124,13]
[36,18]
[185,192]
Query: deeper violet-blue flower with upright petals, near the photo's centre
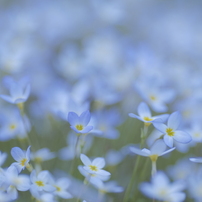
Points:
[79,123]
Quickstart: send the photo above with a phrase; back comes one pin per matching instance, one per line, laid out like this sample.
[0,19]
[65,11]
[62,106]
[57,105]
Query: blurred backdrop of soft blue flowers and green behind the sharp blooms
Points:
[105,56]
